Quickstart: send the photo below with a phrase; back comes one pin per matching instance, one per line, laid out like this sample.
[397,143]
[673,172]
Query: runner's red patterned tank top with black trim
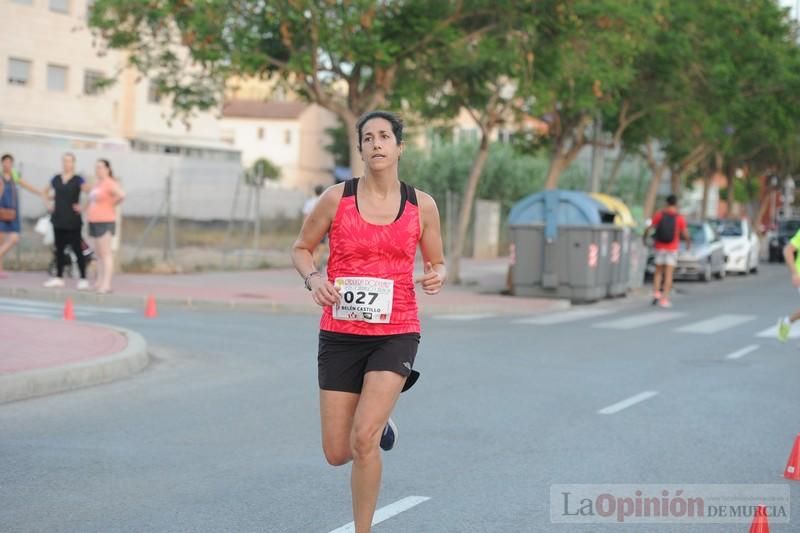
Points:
[359,249]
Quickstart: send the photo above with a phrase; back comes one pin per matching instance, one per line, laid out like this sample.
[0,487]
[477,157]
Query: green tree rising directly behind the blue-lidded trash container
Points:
[582,73]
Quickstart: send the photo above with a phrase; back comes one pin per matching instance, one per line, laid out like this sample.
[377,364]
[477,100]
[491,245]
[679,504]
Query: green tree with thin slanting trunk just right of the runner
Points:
[486,69]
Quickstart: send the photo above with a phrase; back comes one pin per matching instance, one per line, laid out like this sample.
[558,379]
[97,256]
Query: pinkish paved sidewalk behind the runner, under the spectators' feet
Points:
[281,290]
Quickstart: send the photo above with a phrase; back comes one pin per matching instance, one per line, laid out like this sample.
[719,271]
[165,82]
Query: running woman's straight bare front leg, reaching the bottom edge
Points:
[378,397]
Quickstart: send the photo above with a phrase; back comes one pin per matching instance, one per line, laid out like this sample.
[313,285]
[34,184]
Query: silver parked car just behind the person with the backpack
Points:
[705,260]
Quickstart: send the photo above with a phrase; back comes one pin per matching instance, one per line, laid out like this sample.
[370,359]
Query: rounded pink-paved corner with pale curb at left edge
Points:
[40,356]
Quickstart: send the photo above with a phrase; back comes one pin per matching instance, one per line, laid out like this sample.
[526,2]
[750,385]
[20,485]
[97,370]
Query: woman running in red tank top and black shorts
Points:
[369,331]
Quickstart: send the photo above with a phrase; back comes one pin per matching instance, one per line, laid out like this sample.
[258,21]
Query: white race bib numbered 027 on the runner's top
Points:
[364,299]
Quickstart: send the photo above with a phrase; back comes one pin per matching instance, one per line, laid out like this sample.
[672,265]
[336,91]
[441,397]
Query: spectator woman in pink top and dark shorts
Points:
[102,215]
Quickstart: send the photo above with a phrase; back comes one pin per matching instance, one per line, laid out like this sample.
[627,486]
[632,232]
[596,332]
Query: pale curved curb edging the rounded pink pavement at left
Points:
[41,382]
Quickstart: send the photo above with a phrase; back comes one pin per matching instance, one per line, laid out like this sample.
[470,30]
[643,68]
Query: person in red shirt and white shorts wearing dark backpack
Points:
[668,226]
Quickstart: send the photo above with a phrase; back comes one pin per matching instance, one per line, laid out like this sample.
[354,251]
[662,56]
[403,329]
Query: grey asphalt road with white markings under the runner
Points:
[221,432]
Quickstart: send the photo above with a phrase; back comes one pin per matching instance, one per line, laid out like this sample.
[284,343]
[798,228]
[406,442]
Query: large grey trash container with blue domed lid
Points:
[562,243]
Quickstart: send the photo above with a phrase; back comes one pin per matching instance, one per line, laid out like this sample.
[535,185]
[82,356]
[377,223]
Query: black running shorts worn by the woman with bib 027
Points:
[344,358]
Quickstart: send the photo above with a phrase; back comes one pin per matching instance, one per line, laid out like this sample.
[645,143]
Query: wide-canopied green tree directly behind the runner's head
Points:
[344,56]
